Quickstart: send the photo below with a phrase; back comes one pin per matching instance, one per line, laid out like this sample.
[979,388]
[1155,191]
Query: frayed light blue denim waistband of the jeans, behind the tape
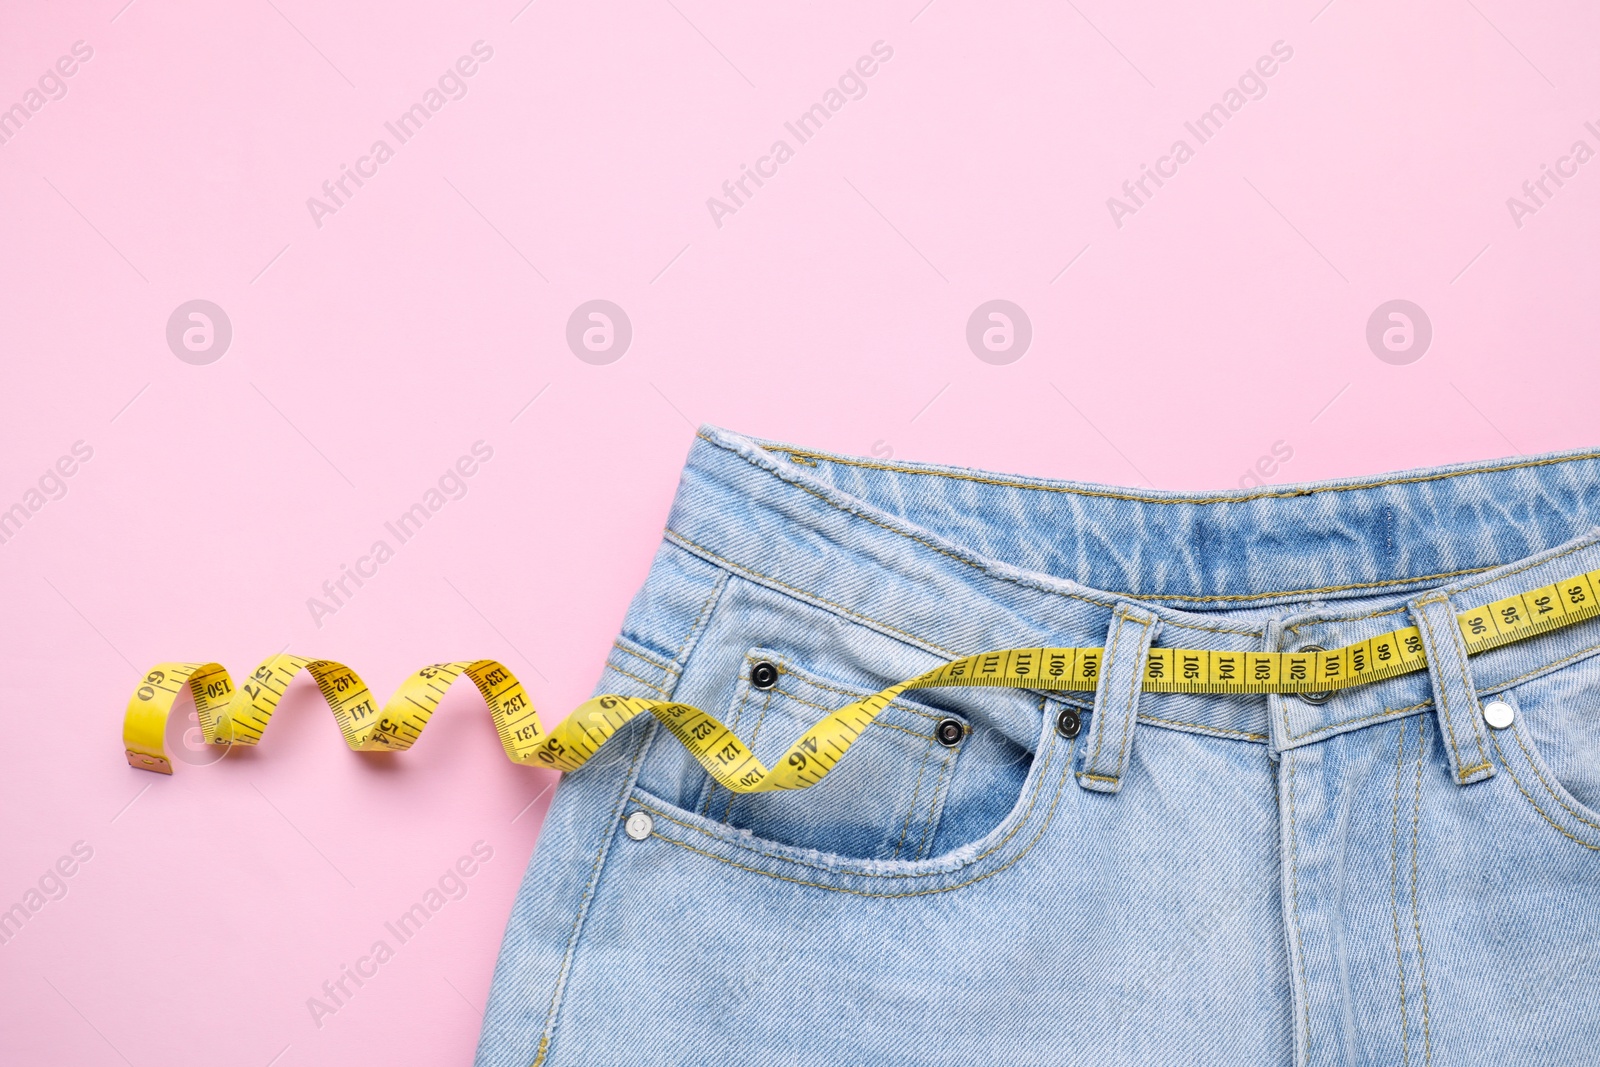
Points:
[959,561]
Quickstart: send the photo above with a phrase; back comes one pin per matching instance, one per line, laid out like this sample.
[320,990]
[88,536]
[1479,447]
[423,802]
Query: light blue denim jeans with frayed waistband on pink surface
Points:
[1375,879]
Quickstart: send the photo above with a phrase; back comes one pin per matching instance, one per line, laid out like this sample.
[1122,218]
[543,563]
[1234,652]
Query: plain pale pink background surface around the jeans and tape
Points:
[1226,316]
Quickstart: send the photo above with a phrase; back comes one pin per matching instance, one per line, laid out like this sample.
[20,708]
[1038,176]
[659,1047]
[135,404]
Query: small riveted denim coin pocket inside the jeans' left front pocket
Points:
[884,801]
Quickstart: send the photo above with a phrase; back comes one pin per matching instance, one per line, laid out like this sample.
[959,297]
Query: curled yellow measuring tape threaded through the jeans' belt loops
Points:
[241,716]
